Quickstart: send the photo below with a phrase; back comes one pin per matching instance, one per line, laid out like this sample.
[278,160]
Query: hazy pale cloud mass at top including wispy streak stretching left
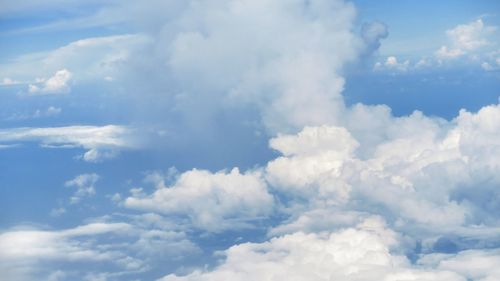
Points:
[292,66]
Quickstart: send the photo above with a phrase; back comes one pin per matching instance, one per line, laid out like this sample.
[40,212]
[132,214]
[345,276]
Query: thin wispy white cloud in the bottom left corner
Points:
[23,252]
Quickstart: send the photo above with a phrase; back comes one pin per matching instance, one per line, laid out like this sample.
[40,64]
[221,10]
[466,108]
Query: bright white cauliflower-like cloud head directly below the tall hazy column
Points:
[313,156]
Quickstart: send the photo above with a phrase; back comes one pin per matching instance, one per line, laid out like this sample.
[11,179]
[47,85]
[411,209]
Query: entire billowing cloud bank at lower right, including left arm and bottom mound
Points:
[429,187]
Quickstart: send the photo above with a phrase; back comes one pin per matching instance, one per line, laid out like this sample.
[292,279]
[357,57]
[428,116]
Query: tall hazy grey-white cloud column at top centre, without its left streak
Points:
[290,68]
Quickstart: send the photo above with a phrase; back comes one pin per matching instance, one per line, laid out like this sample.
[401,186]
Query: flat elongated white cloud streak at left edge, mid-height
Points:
[101,142]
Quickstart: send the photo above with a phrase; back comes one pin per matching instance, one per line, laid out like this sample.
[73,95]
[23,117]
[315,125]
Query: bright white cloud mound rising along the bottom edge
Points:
[361,253]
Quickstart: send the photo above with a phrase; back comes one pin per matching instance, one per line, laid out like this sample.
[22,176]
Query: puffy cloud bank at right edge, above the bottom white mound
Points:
[414,179]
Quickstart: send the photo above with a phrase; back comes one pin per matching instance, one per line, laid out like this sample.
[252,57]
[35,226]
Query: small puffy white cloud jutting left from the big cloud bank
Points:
[211,201]
